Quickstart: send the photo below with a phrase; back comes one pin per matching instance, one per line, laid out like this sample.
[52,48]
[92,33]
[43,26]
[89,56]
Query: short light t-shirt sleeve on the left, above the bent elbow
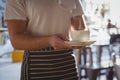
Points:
[15,10]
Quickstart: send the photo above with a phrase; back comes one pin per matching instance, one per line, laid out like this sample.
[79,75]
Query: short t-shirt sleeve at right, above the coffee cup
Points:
[78,9]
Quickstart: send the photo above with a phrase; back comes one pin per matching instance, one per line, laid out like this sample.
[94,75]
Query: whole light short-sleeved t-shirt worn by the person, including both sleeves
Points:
[45,17]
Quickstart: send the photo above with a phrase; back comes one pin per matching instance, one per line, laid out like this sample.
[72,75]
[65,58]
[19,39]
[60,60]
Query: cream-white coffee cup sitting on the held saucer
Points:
[79,35]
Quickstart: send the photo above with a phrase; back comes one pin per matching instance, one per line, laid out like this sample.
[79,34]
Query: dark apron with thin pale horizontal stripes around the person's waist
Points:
[48,64]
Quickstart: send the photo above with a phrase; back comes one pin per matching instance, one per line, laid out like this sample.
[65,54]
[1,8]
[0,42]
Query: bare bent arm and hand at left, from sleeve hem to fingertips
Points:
[23,41]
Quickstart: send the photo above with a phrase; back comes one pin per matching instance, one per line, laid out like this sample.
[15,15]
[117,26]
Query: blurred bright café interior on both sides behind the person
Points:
[101,58]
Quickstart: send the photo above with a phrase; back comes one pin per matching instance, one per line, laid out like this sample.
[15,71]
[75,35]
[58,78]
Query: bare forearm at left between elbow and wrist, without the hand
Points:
[28,42]
